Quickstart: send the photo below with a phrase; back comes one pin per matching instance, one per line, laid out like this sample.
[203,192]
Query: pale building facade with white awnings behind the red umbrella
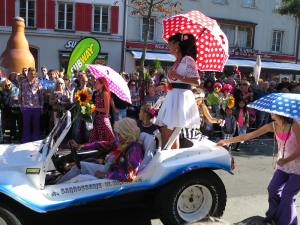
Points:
[252,28]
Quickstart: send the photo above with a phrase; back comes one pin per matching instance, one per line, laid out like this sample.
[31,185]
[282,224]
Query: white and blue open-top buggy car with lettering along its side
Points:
[181,184]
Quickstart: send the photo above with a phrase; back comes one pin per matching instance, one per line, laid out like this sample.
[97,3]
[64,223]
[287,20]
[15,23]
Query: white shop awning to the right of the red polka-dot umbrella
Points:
[264,65]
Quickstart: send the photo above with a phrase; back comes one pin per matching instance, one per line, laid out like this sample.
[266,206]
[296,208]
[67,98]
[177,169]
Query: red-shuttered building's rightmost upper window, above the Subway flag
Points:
[101,18]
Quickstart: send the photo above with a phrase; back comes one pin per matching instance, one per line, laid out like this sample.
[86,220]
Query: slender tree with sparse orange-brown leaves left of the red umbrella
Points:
[146,9]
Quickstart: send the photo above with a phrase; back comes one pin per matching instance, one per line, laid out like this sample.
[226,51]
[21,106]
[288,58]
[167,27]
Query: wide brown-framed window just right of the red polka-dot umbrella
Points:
[239,35]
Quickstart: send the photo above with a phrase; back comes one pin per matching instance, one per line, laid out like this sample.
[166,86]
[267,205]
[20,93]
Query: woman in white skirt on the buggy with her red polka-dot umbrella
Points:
[198,44]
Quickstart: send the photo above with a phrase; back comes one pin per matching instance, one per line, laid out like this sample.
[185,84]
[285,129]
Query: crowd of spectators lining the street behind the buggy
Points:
[32,102]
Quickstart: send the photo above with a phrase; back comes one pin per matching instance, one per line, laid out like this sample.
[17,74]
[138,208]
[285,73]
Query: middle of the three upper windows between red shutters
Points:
[65,16]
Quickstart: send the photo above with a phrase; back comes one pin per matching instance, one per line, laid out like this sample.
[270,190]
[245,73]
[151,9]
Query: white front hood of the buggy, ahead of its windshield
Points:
[20,154]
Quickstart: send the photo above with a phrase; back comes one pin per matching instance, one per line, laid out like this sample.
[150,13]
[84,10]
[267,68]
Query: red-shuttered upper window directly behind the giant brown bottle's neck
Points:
[27,11]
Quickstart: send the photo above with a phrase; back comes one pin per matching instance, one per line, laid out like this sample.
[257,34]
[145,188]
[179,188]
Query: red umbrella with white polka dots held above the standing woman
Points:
[211,42]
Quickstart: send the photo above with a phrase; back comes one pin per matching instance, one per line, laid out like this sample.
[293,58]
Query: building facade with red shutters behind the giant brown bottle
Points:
[53,27]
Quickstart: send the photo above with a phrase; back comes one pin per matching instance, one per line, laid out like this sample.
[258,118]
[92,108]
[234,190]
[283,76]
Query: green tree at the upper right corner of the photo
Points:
[292,8]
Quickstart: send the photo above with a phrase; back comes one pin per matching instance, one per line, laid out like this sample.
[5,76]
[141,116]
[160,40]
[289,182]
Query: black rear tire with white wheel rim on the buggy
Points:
[167,198]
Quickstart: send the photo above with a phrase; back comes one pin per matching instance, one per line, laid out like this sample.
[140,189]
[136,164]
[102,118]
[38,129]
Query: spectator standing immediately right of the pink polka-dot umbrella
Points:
[134,108]
